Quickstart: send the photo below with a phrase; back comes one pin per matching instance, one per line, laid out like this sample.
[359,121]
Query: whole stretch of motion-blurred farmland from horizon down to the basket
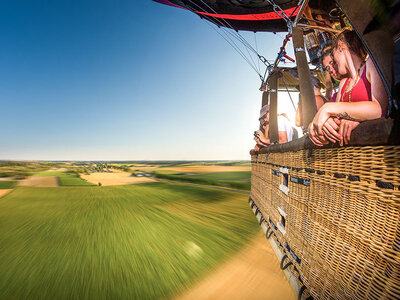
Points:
[78,240]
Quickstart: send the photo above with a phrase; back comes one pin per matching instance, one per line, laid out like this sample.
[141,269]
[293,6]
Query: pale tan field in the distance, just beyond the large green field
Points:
[115,178]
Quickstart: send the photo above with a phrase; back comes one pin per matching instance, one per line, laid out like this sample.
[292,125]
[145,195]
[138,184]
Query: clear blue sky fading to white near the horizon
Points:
[123,80]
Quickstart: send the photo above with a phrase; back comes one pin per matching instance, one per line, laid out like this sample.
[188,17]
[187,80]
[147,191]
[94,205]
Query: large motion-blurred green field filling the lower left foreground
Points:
[144,241]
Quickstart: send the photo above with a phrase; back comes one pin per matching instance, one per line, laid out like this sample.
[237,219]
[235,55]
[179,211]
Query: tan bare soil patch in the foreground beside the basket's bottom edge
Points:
[254,273]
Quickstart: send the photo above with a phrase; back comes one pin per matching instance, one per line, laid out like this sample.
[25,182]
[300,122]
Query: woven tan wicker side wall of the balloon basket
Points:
[335,213]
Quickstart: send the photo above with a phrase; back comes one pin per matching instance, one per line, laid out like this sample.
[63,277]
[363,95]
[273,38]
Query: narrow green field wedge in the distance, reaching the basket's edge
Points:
[236,180]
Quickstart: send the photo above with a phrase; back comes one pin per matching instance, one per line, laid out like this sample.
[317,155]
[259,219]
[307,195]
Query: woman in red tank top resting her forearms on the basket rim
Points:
[361,97]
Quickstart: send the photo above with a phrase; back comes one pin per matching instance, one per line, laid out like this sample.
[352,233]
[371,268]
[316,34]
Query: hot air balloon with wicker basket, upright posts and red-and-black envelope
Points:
[332,212]
